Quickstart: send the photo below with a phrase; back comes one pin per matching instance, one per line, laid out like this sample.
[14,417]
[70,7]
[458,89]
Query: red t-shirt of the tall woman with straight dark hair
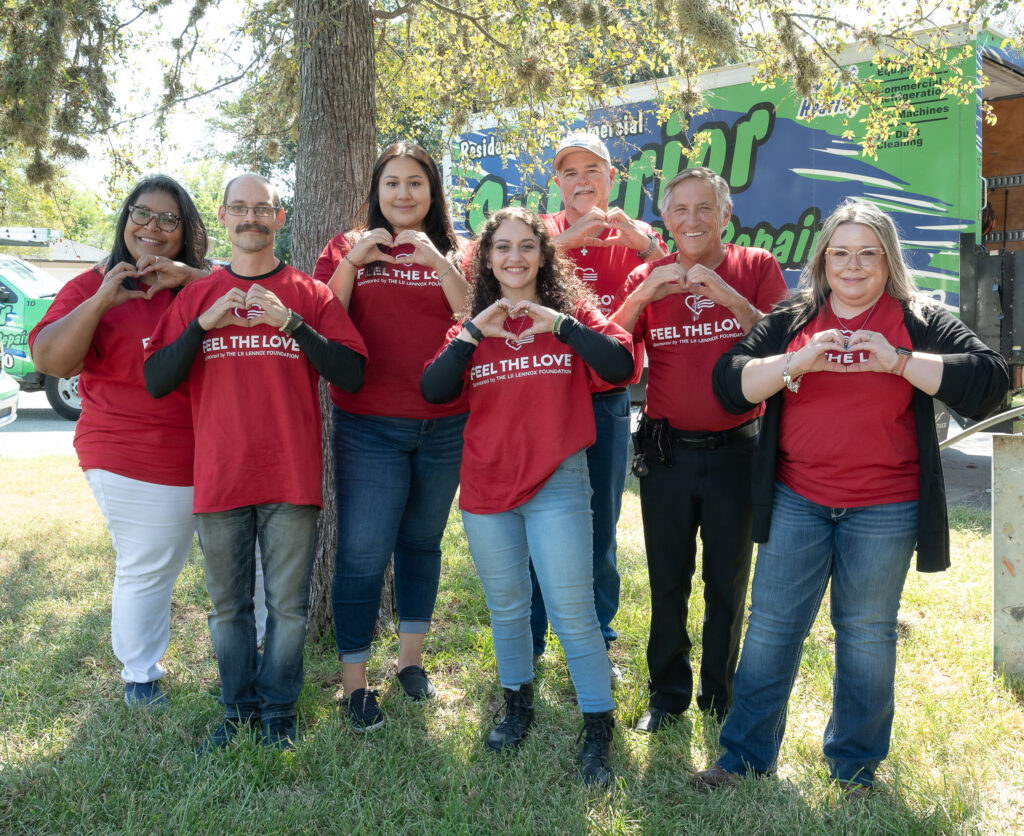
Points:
[403,315]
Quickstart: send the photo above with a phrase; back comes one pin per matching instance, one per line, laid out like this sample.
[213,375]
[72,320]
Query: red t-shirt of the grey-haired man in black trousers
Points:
[686,335]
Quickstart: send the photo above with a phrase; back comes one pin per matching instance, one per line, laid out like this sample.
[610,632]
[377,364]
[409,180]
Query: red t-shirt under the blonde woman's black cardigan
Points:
[850,440]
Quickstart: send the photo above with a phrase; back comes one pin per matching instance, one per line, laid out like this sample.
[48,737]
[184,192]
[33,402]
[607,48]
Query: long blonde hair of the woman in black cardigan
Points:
[814,291]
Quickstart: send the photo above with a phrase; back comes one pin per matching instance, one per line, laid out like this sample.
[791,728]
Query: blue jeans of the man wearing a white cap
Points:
[608,461]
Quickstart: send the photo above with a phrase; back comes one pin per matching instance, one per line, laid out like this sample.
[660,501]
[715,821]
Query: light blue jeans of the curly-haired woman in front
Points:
[556,528]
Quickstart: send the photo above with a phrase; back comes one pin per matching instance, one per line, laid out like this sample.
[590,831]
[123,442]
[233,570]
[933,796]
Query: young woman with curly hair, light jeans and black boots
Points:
[528,357]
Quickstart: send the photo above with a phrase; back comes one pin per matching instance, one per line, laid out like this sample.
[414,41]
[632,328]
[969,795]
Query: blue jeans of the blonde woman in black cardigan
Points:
[866,553]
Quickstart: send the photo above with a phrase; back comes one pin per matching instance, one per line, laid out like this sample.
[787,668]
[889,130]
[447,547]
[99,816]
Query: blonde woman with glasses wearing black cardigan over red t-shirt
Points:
[847,483]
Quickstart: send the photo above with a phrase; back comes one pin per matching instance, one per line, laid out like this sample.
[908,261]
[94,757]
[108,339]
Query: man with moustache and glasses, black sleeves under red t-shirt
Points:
[249,344]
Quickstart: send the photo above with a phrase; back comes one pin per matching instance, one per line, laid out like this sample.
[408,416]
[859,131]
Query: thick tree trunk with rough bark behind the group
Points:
[337,146]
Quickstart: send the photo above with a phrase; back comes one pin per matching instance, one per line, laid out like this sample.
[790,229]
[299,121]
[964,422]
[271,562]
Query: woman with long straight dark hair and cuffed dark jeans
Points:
[397,456]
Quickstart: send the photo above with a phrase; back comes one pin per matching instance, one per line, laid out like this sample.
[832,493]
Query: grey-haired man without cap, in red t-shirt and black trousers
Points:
[694,457]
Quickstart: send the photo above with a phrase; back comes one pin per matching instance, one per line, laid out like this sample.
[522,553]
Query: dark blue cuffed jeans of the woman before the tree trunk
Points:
[396,480]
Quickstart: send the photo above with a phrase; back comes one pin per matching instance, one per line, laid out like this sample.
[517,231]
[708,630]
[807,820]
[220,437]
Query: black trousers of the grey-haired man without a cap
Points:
[710,491]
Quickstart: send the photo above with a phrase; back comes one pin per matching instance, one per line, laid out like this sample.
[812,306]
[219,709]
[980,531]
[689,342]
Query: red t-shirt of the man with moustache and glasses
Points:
[254,397]
